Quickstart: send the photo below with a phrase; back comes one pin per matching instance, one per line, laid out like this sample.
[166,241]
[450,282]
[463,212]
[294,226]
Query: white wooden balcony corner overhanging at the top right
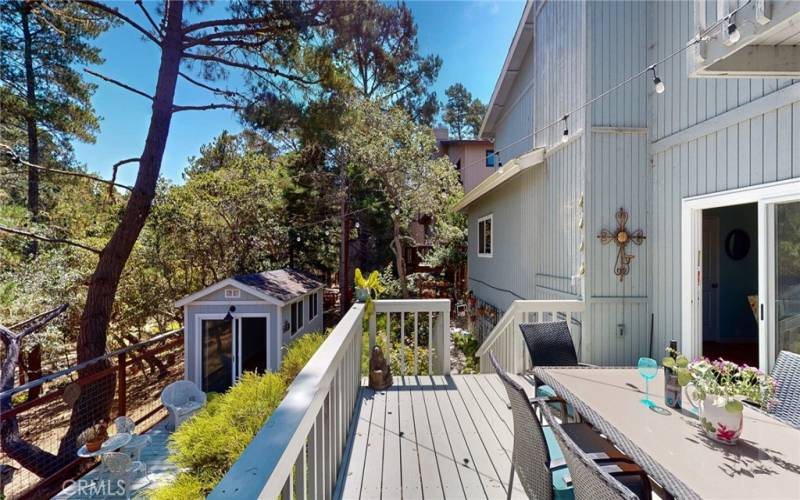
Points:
[769,43]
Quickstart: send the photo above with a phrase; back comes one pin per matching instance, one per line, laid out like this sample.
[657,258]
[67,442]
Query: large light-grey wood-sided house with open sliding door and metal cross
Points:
[709,170]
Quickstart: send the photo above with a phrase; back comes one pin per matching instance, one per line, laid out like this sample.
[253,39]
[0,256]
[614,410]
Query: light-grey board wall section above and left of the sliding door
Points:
[714,156]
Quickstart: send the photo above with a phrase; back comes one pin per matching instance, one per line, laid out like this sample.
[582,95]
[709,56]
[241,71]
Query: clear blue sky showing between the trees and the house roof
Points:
[471,37]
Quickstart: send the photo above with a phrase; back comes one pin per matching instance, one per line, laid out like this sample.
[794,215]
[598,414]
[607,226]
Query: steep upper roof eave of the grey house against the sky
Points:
[514,59]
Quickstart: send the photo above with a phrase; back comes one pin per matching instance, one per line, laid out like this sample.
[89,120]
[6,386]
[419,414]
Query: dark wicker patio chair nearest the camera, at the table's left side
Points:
[593,480]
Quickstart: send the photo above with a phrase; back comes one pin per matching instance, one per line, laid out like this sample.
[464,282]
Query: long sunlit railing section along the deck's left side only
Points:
[266,467]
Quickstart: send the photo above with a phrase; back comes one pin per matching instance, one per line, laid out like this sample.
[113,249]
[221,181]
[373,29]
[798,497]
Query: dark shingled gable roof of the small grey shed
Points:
[278,286]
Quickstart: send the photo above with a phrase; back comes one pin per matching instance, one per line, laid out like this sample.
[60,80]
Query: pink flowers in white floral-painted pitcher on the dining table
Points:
[717,389]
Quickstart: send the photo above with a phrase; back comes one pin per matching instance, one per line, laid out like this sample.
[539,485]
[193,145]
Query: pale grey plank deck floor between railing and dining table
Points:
[431,437]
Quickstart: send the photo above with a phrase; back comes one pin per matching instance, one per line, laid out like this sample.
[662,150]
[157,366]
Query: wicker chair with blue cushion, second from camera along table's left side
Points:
[536,457]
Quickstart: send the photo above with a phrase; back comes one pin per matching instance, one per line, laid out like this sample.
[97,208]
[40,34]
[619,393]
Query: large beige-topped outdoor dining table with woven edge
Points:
[669,444]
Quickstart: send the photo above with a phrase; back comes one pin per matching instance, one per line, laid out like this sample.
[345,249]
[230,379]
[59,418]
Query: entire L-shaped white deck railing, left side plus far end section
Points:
[299,451]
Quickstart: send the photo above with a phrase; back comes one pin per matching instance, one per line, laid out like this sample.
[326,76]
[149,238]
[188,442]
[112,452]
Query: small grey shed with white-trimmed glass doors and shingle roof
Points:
[242,323]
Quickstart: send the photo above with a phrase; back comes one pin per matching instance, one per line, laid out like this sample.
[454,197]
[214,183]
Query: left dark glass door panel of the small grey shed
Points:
[217,355]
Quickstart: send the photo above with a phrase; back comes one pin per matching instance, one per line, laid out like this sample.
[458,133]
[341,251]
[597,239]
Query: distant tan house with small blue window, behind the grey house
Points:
[473,158]
